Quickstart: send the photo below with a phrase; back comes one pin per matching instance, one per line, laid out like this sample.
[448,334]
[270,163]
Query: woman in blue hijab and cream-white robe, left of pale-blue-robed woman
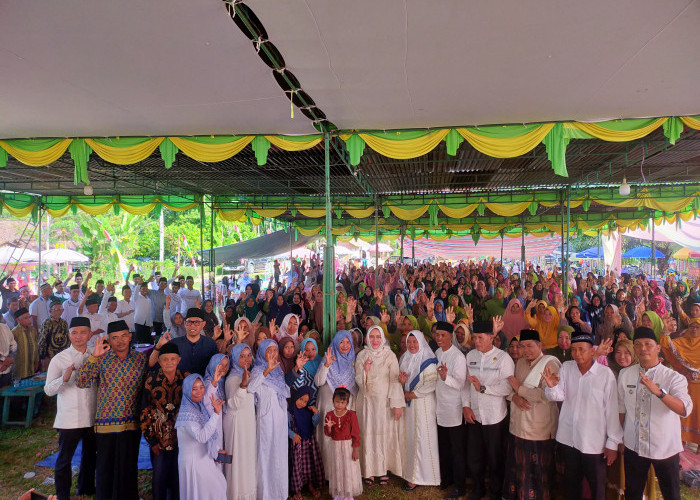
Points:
[239,426]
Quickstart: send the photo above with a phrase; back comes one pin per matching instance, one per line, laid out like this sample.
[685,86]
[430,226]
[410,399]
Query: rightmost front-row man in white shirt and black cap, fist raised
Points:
[652,399]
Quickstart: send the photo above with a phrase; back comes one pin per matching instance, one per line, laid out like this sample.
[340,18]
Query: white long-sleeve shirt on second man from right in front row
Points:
[589,419]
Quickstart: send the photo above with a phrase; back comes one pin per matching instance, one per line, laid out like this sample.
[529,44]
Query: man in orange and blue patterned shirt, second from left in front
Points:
[119,373]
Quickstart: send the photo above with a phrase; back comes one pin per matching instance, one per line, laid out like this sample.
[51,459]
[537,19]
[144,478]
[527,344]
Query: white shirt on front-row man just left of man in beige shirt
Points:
[492,369]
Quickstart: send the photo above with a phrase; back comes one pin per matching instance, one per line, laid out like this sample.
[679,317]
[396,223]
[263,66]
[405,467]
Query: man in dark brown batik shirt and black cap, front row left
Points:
[162,395]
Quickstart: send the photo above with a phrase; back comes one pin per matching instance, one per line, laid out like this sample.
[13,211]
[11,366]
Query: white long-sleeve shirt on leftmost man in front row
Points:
[76,407]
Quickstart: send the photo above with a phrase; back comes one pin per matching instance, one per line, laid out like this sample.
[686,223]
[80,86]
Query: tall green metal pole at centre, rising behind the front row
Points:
[329,305]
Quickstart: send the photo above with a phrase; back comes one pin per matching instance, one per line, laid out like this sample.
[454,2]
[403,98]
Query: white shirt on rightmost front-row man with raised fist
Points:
[652,430]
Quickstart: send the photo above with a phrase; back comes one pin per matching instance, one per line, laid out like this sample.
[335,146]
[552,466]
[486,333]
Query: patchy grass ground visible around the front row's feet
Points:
[22,448]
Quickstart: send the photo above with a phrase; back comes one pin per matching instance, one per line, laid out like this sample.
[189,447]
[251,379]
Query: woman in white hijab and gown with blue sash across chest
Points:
[418,375]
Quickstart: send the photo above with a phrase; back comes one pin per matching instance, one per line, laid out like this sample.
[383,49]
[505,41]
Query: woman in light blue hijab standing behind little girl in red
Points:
[336,370]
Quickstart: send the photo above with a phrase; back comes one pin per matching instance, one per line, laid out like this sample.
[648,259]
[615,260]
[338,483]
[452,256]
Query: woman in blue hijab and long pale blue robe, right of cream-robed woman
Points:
[271,393]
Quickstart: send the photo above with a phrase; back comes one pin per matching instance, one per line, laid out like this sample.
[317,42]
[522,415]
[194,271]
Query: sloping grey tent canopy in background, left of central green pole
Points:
[268,245]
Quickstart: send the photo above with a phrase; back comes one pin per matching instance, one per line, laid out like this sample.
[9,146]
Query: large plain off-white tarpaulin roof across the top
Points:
[177,67]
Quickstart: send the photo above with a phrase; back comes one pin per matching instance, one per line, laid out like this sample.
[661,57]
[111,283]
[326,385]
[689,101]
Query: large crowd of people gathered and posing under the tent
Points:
[467,377]
